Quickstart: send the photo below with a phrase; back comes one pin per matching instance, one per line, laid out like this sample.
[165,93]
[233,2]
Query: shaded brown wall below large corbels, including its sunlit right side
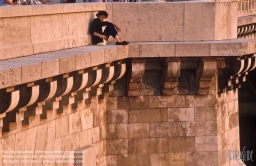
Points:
[181,129]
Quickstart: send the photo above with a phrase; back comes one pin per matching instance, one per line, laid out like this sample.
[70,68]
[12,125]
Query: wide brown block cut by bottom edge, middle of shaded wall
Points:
[177,159]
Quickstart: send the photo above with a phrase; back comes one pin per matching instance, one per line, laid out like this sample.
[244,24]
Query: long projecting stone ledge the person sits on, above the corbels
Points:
[35,67]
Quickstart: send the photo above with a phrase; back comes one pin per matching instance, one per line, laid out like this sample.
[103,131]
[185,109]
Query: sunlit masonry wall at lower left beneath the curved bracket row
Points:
[72,130]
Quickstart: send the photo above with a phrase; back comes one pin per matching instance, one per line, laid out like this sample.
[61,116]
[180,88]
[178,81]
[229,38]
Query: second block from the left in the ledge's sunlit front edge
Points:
[31,72]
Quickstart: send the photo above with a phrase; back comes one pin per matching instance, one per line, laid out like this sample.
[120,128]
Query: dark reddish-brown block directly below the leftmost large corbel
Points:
[139,102]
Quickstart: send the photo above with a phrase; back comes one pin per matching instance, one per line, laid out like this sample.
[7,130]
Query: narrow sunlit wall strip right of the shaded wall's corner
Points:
[228,128]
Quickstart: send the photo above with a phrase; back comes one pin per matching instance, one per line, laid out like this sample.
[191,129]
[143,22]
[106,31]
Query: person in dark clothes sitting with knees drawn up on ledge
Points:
[99,37]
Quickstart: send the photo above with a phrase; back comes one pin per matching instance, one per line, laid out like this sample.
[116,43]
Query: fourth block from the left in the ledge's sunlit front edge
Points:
[67,64]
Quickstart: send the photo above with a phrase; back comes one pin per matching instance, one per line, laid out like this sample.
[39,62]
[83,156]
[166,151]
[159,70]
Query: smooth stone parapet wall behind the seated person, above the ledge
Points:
[32,30]
